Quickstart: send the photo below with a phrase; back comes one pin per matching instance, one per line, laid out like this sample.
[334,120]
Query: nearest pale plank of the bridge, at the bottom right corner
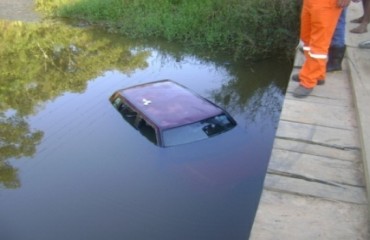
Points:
[332,220]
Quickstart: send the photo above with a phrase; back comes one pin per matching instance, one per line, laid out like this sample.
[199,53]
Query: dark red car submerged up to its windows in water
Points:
[169,114]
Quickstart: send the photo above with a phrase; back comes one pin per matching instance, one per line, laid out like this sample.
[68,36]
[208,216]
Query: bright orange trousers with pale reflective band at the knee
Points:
[318,21]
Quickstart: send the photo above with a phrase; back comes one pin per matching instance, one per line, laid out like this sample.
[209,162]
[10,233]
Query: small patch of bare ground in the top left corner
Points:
[18,10]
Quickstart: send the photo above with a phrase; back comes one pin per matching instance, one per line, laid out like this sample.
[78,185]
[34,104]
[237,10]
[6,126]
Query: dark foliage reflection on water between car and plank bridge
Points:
[257,91]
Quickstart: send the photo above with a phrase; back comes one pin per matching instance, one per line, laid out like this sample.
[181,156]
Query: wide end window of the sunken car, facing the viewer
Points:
[197,131]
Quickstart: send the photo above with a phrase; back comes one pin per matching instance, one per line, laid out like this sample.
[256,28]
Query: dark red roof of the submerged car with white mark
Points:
[168,104]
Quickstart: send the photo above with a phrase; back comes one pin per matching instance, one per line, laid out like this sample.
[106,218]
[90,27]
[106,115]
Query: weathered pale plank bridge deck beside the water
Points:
[317,184]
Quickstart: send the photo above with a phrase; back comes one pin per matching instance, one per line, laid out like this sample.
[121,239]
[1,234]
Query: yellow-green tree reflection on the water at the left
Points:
[39,63]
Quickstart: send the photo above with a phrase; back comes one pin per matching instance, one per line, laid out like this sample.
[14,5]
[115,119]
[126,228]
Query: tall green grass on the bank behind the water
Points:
[251,29]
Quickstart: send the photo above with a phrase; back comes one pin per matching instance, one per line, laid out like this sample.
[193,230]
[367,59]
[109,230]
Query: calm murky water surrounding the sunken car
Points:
[71,168]
